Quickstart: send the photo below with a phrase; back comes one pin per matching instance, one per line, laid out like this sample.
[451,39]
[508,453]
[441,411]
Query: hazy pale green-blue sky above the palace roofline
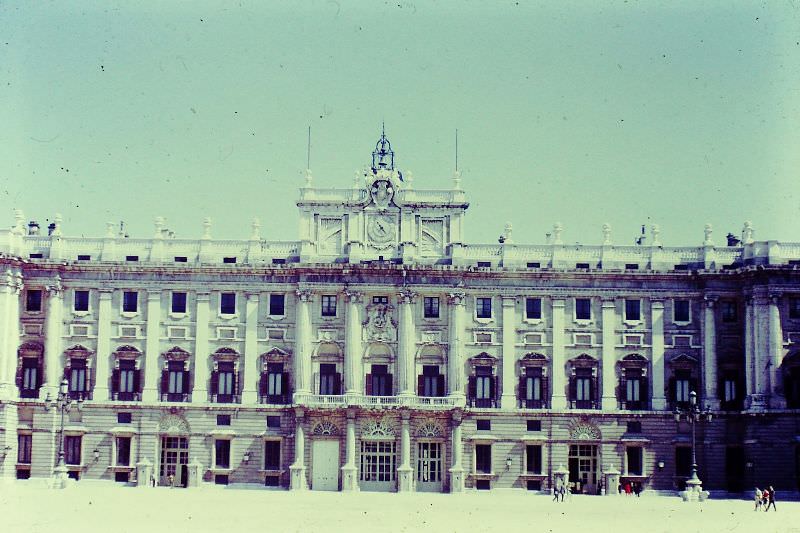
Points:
[584,113]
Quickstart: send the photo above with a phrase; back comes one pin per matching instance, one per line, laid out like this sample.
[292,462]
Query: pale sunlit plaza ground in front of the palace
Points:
[87,507]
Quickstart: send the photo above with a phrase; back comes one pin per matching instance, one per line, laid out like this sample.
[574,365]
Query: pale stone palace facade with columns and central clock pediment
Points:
[381,351]
